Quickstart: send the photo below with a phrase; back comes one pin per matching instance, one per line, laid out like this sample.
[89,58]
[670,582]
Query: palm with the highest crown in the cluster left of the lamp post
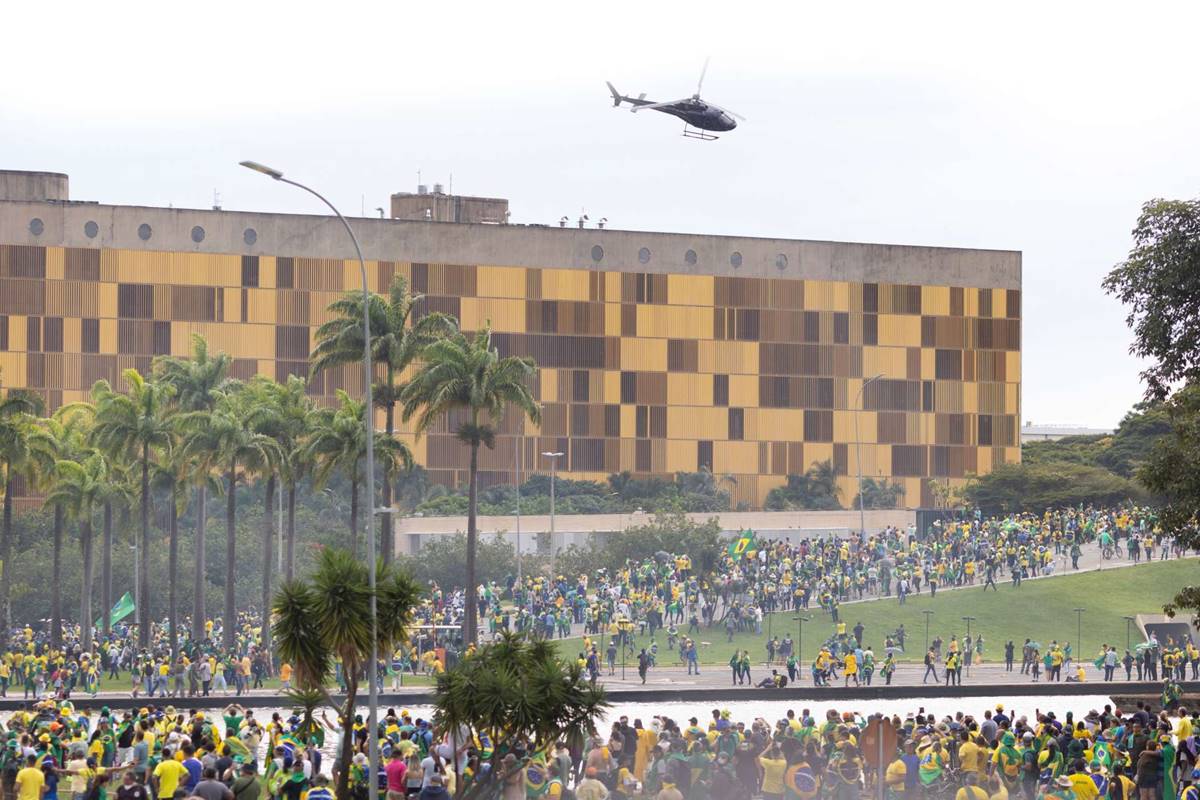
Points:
[197,382]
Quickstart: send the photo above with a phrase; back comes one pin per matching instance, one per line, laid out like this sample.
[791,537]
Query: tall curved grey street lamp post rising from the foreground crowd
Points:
[369,423]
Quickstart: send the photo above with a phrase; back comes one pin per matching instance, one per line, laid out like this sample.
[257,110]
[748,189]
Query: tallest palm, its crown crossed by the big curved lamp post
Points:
[398,341]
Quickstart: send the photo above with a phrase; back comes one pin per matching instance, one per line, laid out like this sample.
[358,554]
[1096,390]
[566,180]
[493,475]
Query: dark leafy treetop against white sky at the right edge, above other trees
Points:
[1160,282]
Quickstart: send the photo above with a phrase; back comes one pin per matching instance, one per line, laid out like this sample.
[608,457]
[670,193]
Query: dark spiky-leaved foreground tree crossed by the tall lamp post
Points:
[328,617]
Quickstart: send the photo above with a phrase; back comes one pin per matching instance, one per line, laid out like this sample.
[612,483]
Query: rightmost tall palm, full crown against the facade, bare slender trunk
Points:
[470,375]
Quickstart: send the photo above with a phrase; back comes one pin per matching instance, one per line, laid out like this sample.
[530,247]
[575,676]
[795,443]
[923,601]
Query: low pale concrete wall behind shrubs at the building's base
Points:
[577,530]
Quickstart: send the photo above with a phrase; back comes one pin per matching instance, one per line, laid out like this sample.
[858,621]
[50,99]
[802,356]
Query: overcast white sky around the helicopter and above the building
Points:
[1040,128]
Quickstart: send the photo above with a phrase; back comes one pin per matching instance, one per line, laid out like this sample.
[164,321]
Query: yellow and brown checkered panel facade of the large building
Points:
[752,378]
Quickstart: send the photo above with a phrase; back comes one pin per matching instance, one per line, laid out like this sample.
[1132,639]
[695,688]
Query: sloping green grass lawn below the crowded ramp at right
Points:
[1041,610]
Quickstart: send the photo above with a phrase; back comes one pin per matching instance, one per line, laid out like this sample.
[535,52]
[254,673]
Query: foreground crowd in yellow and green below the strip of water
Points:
[55,751]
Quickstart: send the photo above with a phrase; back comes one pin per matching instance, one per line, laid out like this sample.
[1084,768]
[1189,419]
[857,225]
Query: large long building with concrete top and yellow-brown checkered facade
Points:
[659,353]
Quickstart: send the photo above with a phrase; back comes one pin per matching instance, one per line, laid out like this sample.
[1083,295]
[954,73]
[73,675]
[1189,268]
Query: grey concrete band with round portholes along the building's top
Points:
[322,237]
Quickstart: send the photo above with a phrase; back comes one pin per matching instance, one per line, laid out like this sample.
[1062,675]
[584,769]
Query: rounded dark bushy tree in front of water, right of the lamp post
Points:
[520,695]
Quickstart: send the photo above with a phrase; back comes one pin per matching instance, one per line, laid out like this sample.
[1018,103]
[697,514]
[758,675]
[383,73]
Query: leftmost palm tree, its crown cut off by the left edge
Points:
[20,411]
